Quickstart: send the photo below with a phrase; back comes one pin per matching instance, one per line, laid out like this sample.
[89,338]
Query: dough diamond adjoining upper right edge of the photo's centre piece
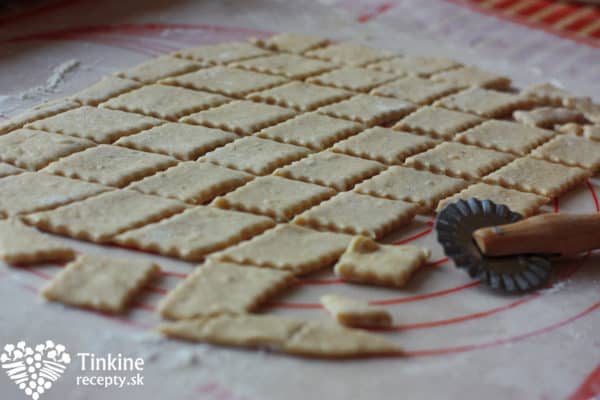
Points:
[335,170]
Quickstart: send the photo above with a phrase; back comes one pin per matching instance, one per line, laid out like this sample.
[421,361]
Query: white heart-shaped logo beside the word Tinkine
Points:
[34,370]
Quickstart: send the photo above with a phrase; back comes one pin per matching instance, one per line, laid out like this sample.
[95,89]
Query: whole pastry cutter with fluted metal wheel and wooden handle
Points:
[508,253]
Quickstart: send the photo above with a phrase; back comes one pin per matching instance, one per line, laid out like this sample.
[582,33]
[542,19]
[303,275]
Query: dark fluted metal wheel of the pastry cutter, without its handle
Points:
[455,225]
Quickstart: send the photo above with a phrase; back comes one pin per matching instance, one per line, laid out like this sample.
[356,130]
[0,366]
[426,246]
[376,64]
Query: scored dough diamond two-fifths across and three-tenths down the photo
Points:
[241,117]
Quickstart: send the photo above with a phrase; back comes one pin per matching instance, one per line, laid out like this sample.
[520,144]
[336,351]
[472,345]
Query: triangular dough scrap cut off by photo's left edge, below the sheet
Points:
[20,244]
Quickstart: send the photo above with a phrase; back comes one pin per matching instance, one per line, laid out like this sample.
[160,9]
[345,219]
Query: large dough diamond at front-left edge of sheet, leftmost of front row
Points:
[101,217]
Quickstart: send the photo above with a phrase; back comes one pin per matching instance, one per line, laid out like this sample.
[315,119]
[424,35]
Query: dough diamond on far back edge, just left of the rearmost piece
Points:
[222,53]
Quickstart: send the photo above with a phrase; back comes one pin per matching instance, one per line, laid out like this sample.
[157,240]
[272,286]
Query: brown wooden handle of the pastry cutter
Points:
[546,233]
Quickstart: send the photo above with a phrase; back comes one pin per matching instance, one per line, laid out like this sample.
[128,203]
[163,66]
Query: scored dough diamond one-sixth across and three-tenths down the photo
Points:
[98,124]
